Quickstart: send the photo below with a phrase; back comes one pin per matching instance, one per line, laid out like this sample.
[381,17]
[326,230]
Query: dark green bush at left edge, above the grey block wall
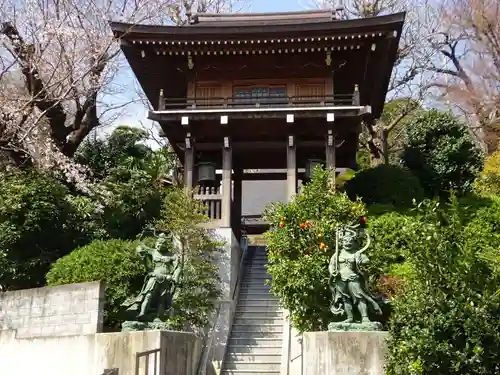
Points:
[37,226]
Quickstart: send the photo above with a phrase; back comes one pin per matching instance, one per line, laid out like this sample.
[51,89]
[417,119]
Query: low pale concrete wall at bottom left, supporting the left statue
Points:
[92,354]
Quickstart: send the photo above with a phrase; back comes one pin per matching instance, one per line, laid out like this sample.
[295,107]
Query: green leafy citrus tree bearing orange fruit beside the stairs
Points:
[300,243]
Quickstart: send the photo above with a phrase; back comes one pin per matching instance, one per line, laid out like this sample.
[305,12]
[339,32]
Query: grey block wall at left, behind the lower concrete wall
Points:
[58,311]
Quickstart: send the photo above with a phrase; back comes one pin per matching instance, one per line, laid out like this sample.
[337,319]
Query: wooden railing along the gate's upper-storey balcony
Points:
[256,102]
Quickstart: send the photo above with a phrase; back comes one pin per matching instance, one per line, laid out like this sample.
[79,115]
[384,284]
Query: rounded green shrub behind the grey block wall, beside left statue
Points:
[114,262]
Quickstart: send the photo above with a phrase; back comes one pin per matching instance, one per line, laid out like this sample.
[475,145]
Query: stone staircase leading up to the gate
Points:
[255,343]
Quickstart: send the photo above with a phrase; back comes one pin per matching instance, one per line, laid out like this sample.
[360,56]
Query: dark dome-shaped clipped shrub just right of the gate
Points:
[385,184]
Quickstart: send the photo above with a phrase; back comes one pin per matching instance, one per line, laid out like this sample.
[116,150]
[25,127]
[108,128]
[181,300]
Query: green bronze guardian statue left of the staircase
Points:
[154,302]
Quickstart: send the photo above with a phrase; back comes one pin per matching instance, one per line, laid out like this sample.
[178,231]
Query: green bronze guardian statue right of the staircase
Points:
[348,282]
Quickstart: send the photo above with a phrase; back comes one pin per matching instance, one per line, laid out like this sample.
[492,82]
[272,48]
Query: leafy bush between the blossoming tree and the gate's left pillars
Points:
[129,189]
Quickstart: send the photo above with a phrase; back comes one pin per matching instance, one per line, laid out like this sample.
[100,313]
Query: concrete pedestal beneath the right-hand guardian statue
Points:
[344,353]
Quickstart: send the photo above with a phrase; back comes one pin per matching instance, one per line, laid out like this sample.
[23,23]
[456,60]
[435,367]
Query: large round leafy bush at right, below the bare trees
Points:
[441,153]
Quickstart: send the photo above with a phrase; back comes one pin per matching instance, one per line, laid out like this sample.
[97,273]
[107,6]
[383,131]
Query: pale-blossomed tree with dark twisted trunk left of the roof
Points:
[60,70]
